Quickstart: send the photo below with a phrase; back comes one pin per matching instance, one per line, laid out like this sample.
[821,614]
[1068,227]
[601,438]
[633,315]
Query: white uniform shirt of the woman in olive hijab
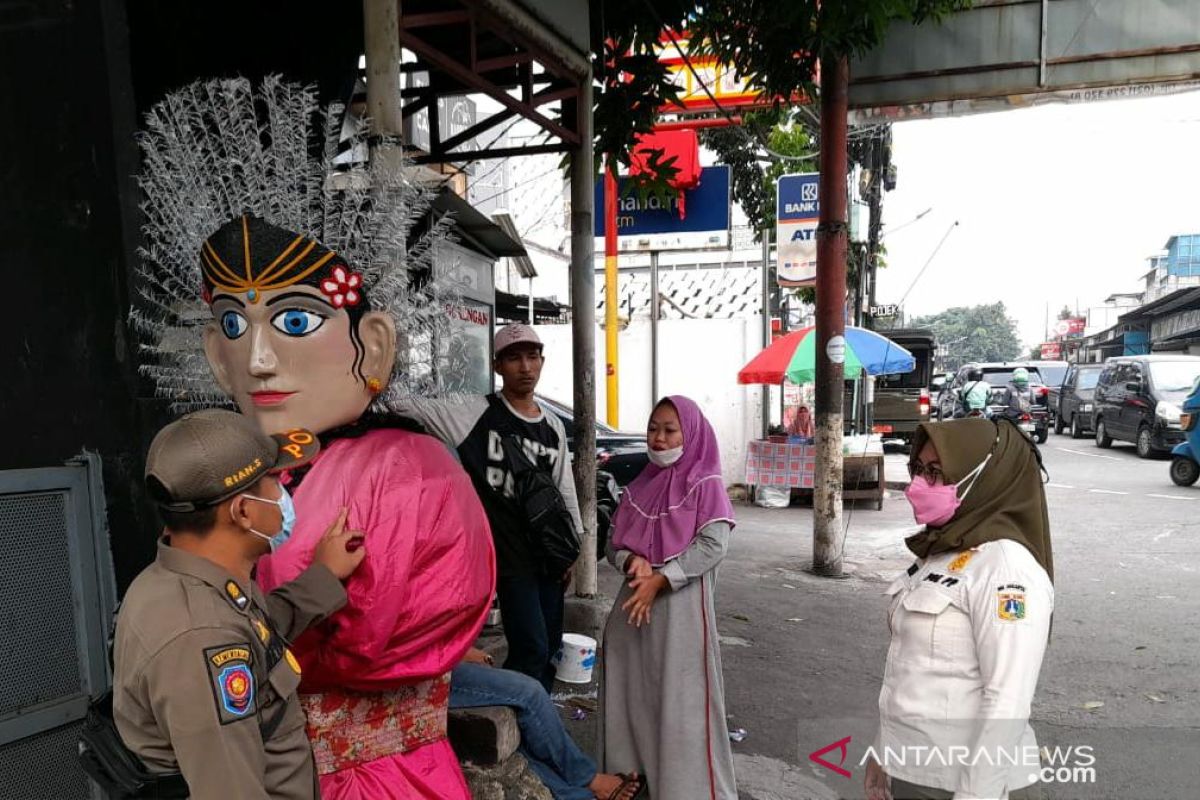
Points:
[969,631]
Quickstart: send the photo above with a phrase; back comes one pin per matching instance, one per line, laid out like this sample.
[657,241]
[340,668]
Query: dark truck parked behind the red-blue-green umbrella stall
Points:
[903,401]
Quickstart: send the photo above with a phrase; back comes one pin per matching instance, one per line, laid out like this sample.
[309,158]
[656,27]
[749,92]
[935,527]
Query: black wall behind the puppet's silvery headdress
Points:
[74,79]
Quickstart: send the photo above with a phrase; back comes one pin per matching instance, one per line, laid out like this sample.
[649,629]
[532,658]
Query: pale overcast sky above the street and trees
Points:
[1057,204]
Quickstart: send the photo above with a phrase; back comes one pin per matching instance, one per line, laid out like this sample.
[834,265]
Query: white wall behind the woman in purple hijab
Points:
[698,358]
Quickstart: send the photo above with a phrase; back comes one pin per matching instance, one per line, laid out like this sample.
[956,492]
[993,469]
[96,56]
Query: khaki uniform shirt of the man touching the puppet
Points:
[195,678]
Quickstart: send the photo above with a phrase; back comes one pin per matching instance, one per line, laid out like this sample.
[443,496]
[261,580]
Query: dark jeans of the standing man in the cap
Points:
[532,615]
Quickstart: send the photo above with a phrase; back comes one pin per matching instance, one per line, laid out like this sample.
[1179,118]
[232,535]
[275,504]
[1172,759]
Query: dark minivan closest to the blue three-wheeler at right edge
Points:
[1138,400]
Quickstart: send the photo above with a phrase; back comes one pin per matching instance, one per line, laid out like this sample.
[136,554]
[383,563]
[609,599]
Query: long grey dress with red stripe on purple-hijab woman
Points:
[663,694]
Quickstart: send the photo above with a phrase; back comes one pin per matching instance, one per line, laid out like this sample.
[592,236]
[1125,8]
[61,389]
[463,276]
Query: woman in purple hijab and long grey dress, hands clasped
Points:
[663,694]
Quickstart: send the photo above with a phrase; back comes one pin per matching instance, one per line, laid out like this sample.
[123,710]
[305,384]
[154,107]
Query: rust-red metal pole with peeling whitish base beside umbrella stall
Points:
[831,323]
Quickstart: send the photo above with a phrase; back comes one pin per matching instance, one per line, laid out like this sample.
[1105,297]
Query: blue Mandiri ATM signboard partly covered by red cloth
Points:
[707,208]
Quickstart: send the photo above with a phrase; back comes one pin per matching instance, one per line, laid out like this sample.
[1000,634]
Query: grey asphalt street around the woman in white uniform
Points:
[805,655]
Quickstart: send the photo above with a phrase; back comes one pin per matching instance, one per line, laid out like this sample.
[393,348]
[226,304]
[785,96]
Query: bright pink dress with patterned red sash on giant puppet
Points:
[376,675]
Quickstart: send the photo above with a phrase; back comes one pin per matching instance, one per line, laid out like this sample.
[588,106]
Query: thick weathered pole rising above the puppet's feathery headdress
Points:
[381,28]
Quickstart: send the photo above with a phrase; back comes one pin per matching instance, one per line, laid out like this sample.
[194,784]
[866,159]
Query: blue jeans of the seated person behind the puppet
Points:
[545,743]
